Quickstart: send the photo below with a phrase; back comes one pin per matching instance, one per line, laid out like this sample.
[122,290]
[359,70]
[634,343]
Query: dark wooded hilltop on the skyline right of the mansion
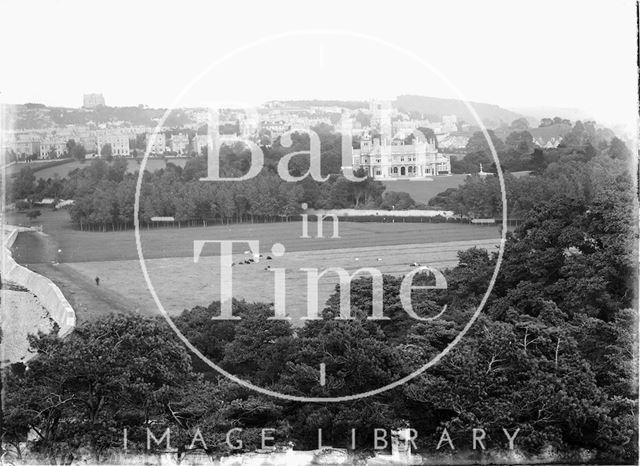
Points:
[434,107]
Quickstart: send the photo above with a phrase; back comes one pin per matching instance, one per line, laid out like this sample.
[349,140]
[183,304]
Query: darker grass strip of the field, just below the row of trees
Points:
[78,246]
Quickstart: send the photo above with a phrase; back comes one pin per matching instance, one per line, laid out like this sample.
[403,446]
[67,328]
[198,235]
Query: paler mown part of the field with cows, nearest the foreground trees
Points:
[182,284]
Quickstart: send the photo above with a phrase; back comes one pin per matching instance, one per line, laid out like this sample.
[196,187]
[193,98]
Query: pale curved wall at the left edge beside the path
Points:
[46,291]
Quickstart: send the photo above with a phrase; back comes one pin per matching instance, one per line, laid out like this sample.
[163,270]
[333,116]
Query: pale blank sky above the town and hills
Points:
[567,53]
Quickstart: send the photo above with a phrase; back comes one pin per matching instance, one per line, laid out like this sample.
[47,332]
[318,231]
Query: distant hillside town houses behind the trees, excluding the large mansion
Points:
[264,124]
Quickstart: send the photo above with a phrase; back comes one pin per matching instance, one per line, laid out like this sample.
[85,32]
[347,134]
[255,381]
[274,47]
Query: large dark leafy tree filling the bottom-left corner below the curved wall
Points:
[84,389]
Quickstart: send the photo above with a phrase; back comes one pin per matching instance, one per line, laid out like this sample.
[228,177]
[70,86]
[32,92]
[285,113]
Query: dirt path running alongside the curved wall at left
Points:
[38,251]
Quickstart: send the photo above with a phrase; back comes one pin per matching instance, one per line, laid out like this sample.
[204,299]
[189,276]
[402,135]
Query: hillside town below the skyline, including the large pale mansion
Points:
[382,135]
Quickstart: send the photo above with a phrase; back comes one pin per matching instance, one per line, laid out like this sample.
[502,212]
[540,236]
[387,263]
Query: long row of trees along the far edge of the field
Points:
[104,197]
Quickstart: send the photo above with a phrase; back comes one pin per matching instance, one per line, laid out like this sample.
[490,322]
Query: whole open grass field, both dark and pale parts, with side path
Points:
[181,283]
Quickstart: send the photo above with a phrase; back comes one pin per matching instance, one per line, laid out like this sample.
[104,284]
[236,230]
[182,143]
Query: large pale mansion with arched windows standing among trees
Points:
[382,158]
